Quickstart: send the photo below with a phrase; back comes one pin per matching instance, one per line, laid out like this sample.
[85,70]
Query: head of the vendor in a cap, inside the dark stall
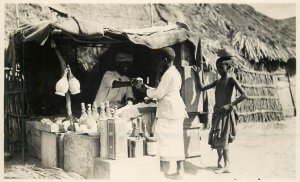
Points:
[123,62]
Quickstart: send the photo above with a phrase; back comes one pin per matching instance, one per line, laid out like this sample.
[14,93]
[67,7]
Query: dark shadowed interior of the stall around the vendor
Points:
[88,63]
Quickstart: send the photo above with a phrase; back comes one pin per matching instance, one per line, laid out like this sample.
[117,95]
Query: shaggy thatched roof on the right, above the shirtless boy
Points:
[239,27]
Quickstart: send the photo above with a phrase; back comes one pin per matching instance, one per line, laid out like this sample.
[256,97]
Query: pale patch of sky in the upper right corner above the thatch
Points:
[276,11]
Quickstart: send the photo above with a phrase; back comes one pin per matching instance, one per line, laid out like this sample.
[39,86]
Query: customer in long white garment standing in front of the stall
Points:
[170,113]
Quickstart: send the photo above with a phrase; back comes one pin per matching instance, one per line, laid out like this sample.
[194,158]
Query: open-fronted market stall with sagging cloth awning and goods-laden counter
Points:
[62,63]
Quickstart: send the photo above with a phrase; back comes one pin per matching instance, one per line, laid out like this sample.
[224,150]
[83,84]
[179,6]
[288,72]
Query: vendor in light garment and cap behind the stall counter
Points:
[115,86]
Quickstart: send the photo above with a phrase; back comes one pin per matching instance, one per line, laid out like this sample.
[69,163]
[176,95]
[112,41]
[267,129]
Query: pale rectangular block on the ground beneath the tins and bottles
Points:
[144,168]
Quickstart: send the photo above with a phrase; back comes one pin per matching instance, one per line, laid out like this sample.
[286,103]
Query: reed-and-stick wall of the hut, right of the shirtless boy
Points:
[263,103]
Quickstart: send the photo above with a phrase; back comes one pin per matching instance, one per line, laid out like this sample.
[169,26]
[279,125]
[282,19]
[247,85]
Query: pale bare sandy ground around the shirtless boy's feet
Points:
[261,151]
